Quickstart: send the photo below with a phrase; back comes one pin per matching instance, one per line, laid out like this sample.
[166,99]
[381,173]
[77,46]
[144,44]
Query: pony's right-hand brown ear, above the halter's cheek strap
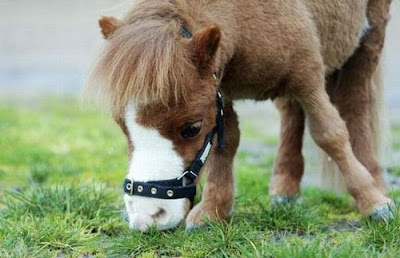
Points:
[205,44]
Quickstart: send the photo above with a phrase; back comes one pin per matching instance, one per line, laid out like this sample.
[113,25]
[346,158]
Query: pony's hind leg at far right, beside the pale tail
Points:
[355,92]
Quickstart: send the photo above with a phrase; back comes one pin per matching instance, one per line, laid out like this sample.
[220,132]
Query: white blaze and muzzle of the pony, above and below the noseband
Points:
[154,158]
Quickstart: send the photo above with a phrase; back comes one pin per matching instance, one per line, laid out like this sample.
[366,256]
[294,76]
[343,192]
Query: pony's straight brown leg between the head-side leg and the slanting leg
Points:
[289,163]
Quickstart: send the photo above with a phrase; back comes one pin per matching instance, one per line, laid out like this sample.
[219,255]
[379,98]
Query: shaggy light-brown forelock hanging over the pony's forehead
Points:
[143,61]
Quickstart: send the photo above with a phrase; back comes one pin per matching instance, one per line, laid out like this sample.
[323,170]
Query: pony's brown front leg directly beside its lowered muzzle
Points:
[217,197]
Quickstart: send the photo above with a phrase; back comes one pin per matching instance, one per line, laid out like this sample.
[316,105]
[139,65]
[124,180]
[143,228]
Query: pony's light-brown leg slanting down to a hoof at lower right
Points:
[330,133]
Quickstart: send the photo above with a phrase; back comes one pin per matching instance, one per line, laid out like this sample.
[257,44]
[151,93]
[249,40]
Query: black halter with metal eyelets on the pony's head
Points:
[184,186]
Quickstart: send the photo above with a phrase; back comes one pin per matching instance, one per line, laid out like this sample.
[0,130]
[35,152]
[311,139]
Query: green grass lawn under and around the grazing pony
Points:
[61,169]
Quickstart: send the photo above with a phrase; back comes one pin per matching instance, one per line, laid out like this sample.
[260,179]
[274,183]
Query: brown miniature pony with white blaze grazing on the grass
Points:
[165,61]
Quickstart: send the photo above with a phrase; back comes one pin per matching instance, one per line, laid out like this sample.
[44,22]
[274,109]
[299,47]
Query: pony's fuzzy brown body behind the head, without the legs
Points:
[276,37]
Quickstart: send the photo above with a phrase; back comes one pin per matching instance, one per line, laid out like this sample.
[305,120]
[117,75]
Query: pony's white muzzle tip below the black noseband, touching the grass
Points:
[144,213]
